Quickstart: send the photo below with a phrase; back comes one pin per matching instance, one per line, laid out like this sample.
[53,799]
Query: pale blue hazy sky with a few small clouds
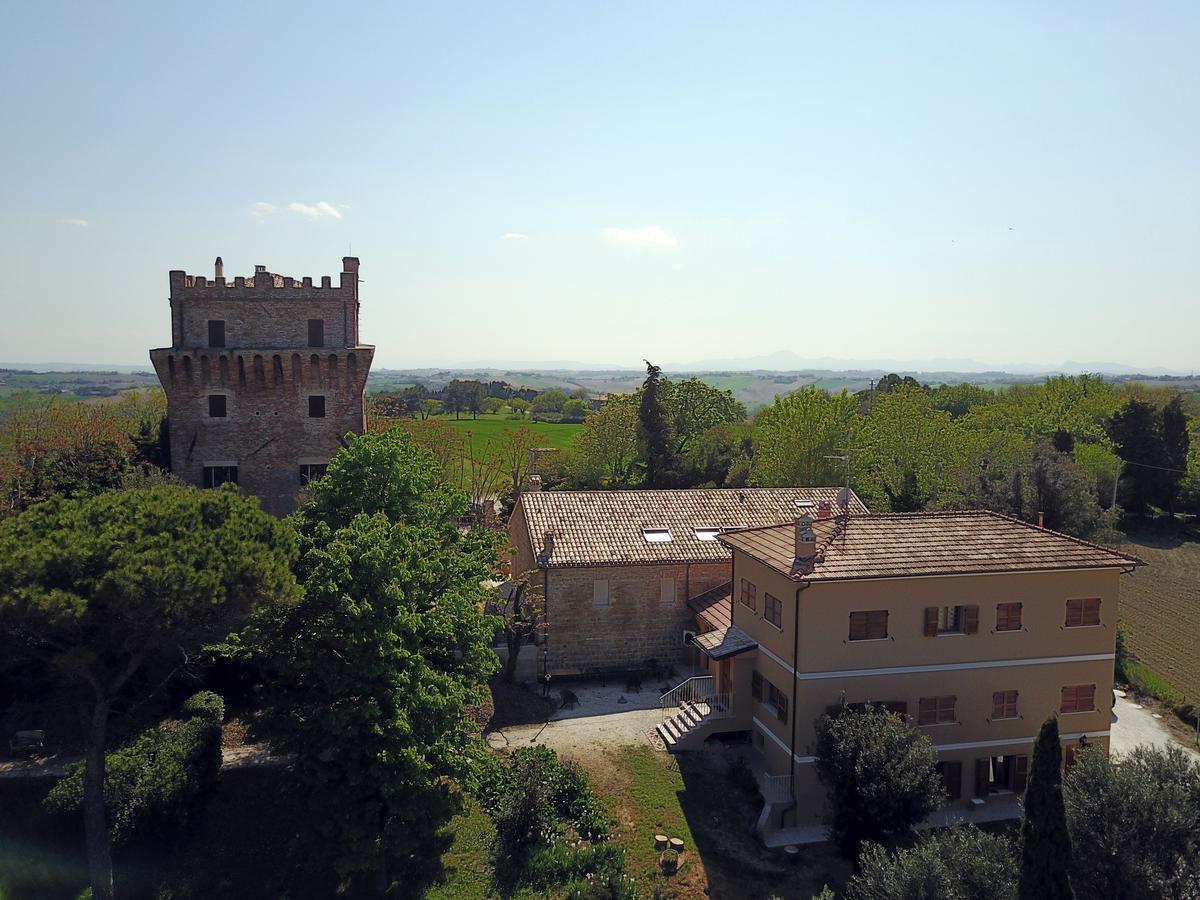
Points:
[1015,183]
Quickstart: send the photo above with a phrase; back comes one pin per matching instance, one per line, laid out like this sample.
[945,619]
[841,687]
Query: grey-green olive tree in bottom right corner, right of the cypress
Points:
[1136,824]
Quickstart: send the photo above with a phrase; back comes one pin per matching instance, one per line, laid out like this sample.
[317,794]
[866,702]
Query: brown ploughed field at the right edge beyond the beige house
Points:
[1161,607]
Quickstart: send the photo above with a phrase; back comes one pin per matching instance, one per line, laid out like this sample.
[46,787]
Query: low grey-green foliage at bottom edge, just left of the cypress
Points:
[961,863]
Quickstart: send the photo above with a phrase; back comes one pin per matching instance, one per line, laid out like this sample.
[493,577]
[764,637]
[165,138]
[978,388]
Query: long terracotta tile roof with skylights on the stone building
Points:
[609,527]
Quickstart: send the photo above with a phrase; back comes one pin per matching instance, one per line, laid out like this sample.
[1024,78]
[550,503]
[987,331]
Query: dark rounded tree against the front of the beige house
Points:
[881,776]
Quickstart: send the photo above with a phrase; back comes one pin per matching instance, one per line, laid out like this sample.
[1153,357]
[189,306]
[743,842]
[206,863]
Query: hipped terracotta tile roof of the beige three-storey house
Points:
[915,544]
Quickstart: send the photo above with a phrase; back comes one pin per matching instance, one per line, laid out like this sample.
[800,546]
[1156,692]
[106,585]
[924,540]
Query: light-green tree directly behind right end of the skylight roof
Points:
[797,437]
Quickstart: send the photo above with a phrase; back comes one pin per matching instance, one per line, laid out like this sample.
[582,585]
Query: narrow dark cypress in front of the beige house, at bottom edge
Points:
[1046,843]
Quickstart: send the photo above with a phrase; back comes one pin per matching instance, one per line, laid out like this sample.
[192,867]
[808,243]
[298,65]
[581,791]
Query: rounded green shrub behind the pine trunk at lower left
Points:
[158,783]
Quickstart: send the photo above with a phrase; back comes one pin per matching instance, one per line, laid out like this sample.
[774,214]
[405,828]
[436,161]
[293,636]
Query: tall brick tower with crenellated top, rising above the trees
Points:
[265,377]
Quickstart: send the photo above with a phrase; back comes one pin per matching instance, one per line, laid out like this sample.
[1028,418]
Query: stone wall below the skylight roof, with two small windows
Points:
[635,627]
